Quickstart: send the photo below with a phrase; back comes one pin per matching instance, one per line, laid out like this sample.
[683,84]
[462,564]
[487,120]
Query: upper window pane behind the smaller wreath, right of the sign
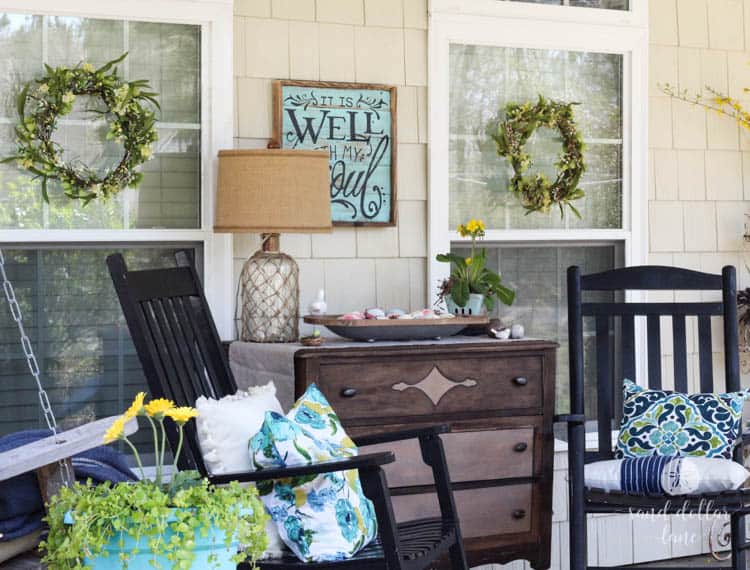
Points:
[483,79]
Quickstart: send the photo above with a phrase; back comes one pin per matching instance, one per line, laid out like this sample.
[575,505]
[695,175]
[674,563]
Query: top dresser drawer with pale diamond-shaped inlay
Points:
[412,387]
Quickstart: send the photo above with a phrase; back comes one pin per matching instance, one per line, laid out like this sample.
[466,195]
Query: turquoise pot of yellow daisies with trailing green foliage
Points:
[184,523]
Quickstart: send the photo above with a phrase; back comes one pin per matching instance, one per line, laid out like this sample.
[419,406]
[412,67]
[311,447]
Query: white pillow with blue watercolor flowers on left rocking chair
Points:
[320,517]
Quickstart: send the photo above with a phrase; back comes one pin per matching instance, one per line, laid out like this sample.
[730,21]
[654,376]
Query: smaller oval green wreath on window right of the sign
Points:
[537,193]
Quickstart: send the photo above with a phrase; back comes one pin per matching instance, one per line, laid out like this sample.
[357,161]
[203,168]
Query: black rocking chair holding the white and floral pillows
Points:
[182,357]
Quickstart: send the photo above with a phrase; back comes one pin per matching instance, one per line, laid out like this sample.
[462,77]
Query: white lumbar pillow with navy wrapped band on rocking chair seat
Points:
[673,476]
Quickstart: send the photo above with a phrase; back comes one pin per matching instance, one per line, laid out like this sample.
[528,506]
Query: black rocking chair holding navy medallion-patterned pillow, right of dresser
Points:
[605,317]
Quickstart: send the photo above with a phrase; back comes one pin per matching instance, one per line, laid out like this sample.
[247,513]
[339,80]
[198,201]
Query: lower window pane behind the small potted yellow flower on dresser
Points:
[538,276]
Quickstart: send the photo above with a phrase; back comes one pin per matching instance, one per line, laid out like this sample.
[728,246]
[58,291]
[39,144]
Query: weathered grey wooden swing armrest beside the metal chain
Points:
[56,448]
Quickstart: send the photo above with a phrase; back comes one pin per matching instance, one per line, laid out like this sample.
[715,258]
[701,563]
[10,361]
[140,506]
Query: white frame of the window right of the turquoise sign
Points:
[526,25]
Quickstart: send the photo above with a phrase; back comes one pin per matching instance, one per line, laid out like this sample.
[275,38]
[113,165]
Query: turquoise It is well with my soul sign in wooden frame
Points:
[356,122]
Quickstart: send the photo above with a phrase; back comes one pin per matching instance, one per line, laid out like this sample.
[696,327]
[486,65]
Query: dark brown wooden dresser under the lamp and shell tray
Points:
[499,399]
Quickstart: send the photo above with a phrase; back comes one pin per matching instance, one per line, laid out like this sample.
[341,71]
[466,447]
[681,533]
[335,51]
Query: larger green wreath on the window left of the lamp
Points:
[130,123]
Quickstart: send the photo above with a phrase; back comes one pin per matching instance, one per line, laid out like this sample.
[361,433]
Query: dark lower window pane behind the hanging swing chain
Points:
[72,316]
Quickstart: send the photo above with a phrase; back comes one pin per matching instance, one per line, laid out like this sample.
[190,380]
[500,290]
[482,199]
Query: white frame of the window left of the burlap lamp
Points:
[217,103]
